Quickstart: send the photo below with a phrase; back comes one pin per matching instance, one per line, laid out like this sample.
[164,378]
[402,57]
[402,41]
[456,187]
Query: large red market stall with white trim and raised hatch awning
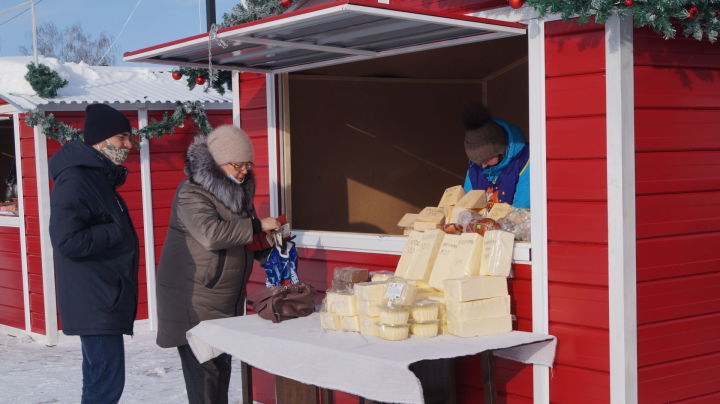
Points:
[607,270]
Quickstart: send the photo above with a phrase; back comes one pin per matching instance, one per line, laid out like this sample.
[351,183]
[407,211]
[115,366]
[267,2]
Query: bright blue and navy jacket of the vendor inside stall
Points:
[508,181]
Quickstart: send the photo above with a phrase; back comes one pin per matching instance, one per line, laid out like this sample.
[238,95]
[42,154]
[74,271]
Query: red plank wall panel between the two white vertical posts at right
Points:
[577,211]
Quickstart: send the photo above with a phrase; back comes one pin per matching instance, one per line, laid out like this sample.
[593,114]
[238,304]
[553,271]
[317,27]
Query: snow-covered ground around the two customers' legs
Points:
[32,373]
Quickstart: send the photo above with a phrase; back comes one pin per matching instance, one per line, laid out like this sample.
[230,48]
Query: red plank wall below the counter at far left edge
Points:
[12,311]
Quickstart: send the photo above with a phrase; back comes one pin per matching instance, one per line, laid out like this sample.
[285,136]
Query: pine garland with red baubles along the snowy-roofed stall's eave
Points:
[63,133]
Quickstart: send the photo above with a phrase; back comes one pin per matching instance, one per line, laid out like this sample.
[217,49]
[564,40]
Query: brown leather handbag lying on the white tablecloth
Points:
[284,302]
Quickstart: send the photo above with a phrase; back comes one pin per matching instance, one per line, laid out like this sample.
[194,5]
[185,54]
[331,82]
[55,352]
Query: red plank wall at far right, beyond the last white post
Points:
[677,135]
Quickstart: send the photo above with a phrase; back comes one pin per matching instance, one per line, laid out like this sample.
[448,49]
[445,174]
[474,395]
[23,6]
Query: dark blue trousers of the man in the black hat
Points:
[103,368]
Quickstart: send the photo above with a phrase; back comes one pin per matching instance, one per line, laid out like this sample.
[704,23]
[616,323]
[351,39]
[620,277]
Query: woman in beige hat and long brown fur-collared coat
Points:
[204,265]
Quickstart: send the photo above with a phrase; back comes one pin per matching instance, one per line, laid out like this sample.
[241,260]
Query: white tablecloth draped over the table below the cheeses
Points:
[366,366]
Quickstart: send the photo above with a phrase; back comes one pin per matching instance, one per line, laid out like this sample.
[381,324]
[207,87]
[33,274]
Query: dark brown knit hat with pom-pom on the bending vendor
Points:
[484,138]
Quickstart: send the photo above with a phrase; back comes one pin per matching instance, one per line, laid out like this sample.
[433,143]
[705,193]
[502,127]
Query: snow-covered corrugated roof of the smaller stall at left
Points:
[106,84]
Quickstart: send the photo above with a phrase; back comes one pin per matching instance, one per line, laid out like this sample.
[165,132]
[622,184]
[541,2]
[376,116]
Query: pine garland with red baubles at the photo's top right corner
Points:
[698,18]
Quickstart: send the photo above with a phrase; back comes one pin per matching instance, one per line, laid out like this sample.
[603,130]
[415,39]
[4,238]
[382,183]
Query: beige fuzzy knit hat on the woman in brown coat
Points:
[229,144]
